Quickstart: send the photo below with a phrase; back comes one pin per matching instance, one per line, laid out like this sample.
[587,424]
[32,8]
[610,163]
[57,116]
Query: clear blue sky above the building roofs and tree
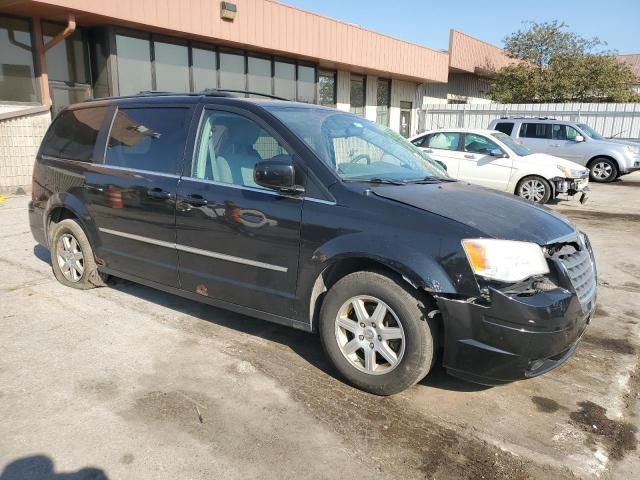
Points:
[427,22]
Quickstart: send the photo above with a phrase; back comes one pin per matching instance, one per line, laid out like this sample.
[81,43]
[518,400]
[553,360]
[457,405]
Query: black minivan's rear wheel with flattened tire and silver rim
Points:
[72,258]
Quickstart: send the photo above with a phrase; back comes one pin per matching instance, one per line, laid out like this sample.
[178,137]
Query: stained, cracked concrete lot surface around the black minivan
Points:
[128,382]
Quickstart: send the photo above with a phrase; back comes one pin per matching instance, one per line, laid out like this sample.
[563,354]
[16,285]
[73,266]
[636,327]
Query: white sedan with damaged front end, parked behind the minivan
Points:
[494,160]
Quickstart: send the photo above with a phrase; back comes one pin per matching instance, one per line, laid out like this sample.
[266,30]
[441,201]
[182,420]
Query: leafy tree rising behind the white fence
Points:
[554,65]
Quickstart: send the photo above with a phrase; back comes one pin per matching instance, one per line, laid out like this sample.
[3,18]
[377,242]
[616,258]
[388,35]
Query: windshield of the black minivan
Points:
[357,149]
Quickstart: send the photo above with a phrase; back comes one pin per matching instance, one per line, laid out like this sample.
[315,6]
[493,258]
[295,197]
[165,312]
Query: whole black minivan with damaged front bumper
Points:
[317,219]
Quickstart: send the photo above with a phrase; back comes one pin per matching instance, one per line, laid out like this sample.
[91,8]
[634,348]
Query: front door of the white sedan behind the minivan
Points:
[478,166]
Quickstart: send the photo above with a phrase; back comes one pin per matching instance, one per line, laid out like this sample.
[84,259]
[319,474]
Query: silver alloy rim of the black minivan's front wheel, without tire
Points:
[369,335]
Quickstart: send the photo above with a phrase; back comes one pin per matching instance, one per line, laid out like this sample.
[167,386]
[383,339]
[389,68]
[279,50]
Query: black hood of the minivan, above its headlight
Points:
[494,214]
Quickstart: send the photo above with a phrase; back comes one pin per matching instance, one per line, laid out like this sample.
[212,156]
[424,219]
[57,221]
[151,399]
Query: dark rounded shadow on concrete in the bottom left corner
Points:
[40,467]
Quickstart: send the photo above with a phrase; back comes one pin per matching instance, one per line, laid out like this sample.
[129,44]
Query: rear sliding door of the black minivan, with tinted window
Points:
[131,197]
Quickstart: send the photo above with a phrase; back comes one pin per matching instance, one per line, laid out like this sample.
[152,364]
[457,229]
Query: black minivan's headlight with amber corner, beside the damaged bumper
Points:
[505,260]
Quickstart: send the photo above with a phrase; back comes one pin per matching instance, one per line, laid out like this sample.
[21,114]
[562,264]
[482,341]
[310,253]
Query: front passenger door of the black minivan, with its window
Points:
[237,241]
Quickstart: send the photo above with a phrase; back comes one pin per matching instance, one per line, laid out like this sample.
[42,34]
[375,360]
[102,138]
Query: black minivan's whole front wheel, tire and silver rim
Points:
[405,317]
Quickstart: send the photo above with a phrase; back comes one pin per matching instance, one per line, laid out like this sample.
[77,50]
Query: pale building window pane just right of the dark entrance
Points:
[134,64]
